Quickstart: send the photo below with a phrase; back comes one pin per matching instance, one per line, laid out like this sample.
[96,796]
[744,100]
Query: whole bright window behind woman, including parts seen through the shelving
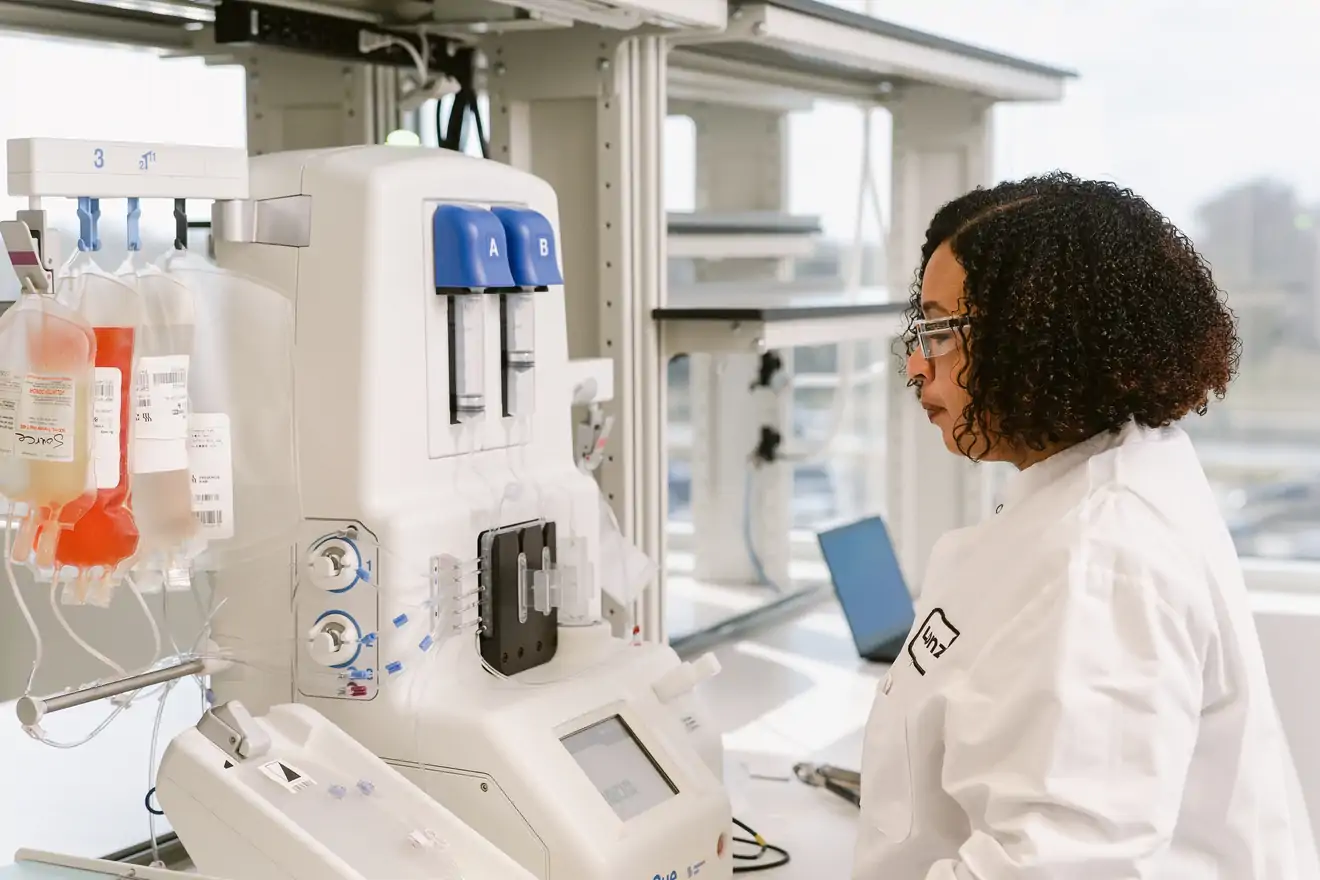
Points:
[1220,148]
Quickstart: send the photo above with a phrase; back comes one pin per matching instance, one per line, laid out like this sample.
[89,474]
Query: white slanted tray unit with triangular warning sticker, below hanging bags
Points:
[291,796]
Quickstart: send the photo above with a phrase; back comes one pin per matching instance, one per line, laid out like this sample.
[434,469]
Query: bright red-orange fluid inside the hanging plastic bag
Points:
[108,535]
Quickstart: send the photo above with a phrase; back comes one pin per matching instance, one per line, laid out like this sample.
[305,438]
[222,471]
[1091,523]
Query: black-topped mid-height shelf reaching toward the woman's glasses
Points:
[746,319]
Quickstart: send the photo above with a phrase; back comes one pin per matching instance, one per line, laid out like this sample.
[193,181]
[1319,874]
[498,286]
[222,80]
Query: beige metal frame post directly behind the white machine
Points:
[584,110]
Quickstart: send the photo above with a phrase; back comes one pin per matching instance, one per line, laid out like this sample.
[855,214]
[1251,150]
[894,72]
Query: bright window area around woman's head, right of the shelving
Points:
[1224,152]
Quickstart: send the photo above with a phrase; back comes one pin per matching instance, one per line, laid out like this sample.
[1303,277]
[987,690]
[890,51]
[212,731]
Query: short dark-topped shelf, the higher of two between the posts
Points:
[741,236]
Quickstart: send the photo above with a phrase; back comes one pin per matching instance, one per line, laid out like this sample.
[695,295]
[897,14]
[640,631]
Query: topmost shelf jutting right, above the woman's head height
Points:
[807,44]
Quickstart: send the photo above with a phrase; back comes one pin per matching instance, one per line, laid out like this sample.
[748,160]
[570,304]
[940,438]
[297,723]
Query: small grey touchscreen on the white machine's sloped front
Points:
[620,769]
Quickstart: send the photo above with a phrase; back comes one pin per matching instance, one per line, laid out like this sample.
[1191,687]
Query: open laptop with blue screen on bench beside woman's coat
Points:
[871,588]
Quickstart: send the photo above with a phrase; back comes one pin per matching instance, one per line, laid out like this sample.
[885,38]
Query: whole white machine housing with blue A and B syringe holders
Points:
[393,487]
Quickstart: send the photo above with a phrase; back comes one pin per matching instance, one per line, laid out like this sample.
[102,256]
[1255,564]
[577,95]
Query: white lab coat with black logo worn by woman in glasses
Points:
[1084,696]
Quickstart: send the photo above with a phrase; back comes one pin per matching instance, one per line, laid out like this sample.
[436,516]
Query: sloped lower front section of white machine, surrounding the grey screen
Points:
[580,774]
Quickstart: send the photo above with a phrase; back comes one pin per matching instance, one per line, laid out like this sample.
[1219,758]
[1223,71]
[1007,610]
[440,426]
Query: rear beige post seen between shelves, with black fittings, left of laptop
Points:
[742,166]
